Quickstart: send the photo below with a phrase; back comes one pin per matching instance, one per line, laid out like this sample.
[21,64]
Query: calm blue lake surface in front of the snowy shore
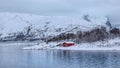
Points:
[12,56]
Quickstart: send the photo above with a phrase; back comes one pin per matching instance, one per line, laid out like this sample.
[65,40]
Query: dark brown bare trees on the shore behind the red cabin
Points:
[97,34]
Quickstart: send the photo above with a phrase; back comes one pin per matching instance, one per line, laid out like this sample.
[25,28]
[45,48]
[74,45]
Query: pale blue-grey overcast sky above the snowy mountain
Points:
[64,7]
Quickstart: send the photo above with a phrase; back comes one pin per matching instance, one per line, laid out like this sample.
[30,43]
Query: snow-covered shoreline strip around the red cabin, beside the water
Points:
[113,44]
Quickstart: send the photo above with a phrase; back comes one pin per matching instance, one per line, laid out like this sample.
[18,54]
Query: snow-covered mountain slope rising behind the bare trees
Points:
[48,25]
